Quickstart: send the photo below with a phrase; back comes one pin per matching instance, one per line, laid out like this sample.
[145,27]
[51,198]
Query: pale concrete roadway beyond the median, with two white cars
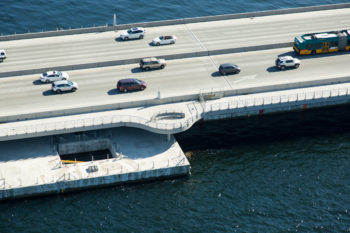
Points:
[195,37]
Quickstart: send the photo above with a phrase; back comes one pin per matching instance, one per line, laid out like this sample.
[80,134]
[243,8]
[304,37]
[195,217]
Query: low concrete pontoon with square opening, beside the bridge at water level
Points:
[31,167]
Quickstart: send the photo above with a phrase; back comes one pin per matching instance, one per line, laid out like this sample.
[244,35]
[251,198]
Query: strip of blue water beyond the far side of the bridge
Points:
[37,15]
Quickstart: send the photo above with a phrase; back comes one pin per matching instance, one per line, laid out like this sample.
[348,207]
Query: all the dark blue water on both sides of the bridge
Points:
[278,173]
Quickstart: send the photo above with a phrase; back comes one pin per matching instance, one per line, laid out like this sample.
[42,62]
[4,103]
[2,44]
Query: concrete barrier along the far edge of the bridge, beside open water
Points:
[172,22]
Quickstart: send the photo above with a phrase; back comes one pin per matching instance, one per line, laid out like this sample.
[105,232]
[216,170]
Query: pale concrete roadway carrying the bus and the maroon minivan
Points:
[23,94]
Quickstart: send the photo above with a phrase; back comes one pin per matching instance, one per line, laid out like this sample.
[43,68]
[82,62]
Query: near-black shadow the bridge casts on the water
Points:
[227,134]
